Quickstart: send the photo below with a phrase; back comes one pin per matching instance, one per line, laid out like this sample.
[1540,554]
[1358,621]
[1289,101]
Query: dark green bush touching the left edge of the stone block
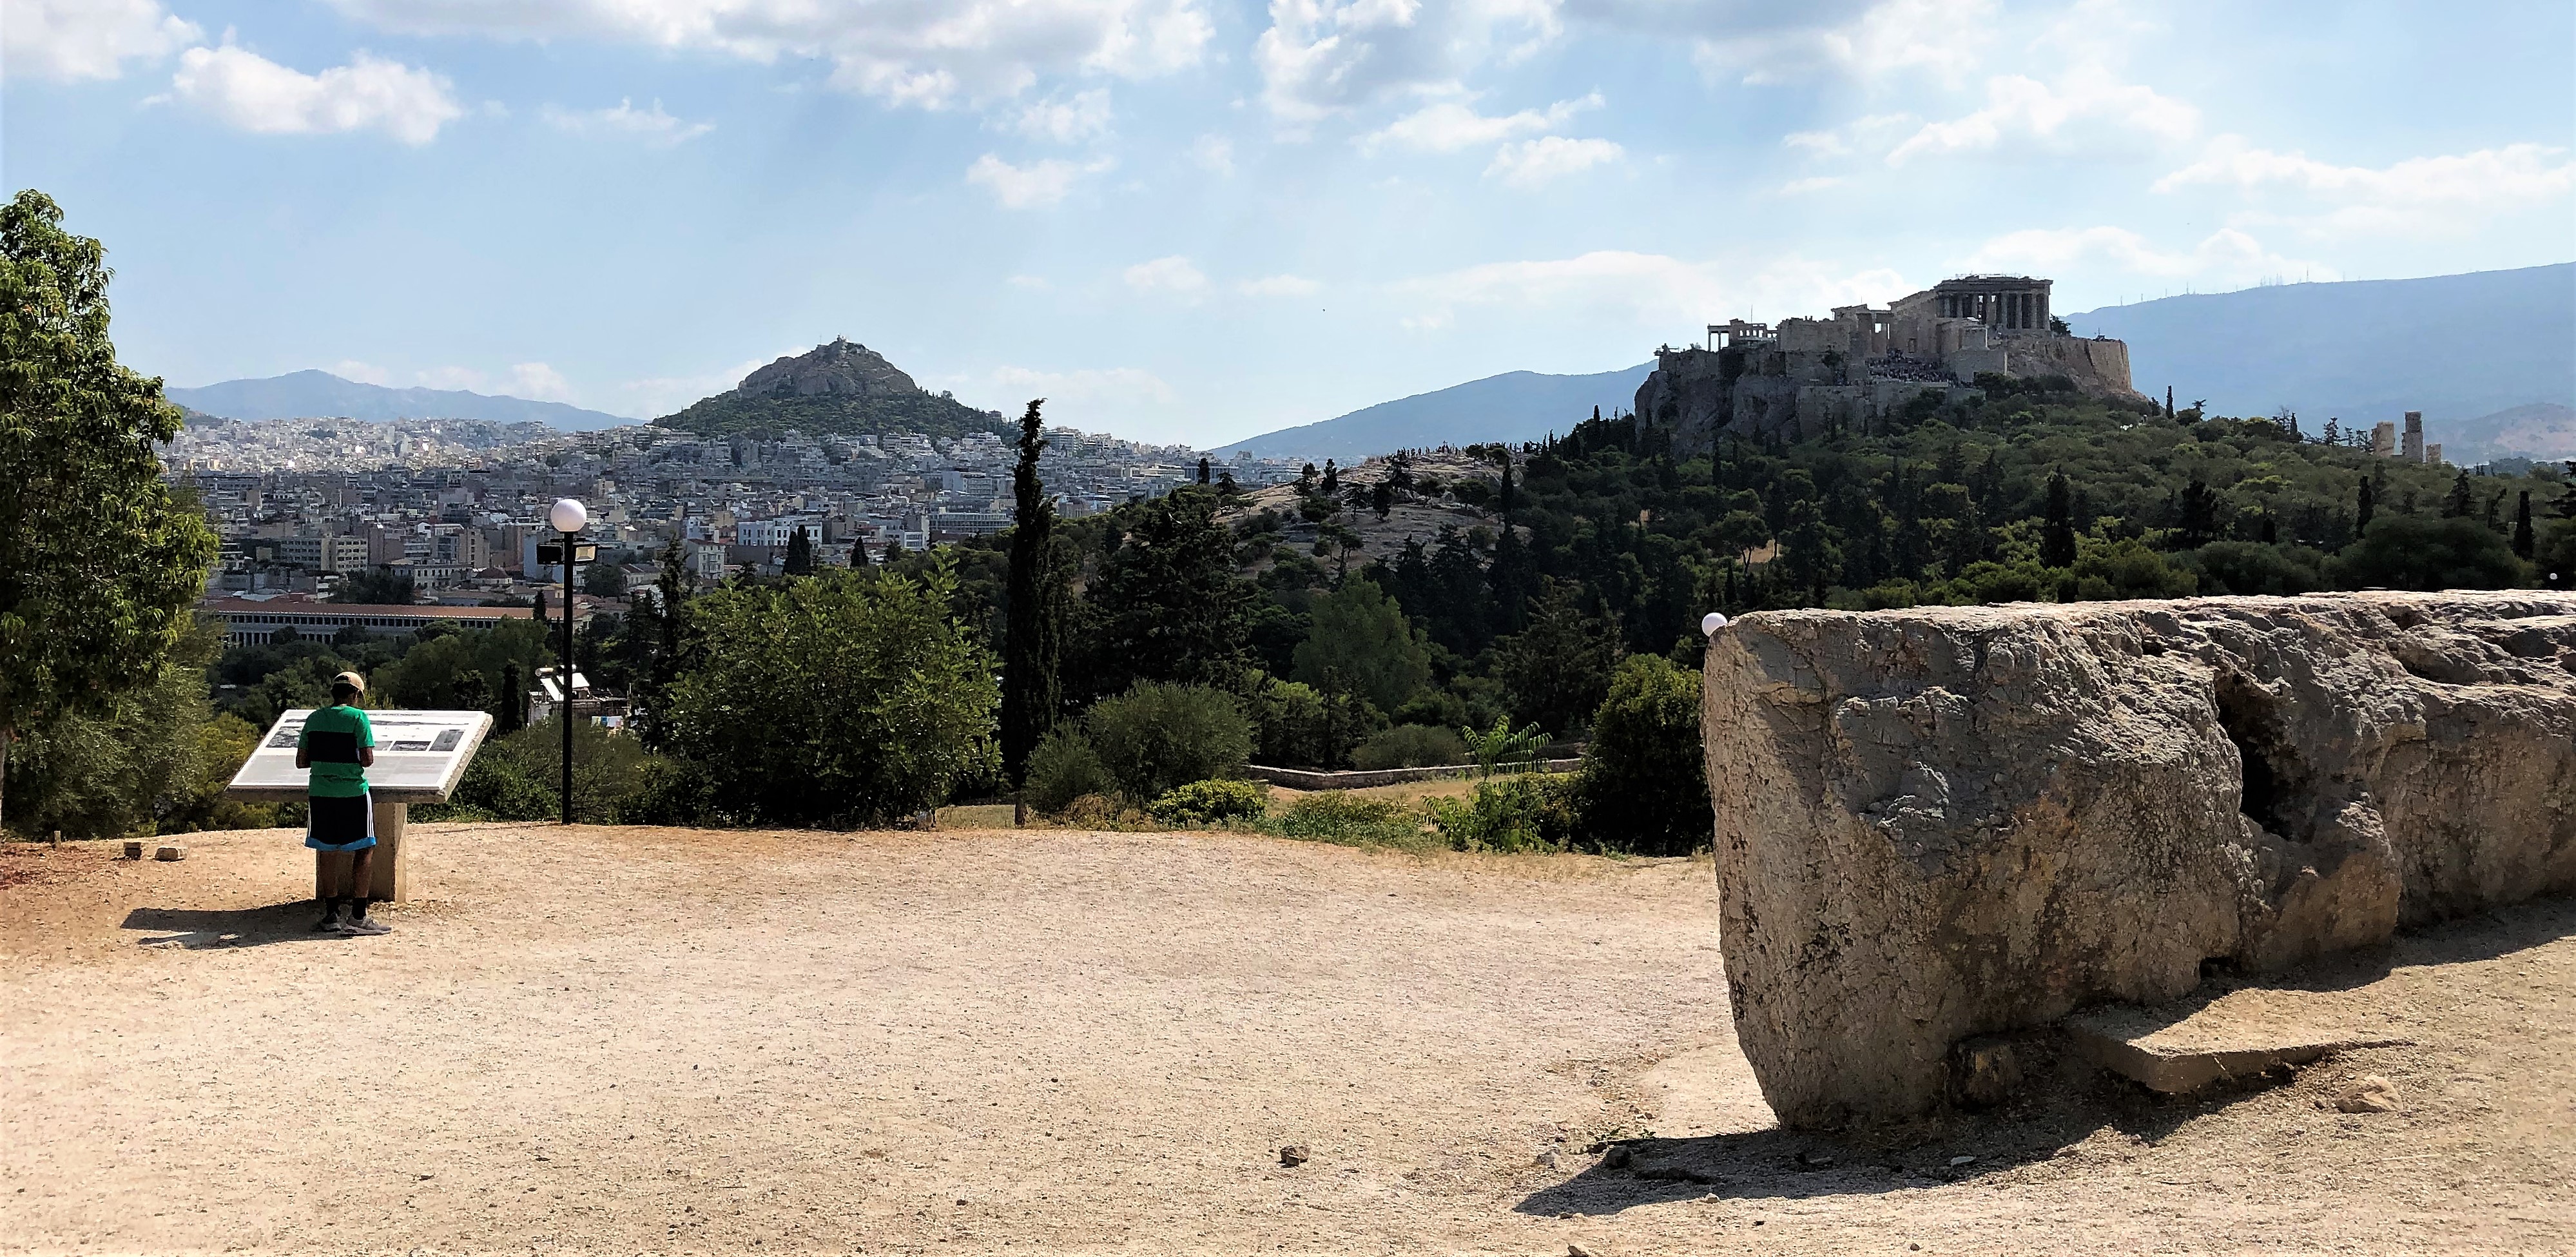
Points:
[1642,787]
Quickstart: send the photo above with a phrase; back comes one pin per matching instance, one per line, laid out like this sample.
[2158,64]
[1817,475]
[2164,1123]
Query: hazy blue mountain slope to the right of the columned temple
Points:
[2487,357]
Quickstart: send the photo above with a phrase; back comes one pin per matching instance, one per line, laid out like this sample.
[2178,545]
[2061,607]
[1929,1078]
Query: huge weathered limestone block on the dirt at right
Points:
[1946,823]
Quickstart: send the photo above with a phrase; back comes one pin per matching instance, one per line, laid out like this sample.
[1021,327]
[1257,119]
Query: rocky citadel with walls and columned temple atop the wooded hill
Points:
[1853,370]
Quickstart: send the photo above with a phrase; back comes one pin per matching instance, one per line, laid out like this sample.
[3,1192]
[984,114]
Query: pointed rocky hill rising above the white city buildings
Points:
[841,388]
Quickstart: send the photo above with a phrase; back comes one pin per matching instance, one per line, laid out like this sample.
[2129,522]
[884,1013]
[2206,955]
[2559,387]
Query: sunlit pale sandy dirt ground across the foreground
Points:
[1063,1042]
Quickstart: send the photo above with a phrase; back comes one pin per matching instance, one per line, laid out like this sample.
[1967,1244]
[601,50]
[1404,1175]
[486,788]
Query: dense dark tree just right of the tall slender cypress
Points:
[1168,604]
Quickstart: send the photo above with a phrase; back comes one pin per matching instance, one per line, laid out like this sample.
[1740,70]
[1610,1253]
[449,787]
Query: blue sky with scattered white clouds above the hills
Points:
[1199,220]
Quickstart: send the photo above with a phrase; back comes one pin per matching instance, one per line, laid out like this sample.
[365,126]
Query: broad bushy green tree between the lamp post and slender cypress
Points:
[836,699]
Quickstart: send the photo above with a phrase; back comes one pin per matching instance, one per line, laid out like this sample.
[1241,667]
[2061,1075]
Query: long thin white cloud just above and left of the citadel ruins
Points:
[1645,290]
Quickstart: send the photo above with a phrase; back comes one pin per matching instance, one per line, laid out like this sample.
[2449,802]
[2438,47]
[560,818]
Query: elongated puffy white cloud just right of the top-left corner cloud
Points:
[256,94]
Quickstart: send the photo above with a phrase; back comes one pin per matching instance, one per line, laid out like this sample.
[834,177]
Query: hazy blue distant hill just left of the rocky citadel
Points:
[1516,406]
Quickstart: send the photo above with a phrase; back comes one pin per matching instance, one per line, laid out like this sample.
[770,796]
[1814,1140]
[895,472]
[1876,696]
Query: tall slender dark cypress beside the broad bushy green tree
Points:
[1034,635]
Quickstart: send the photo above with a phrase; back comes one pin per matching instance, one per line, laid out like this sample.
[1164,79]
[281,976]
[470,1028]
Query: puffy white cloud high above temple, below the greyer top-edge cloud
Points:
[2085,112]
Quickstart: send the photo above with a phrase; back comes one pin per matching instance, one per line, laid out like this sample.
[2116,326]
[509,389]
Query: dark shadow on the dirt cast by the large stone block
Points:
[2062,1111]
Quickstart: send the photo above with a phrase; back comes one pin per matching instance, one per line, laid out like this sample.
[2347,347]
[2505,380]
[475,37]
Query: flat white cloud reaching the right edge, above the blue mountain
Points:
[2420,194]
